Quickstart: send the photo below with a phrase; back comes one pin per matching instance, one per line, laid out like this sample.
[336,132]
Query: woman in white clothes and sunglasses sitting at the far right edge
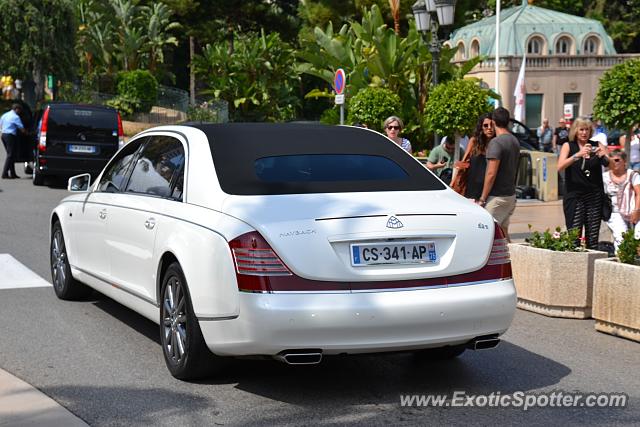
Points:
[623,186]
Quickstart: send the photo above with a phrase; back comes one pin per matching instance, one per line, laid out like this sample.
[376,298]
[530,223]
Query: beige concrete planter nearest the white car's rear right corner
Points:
[556,284]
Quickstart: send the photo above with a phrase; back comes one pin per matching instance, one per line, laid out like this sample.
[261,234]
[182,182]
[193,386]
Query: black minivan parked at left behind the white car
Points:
[73,138]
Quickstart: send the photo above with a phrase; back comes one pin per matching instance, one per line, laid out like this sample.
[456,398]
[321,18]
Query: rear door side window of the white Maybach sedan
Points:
[155,167]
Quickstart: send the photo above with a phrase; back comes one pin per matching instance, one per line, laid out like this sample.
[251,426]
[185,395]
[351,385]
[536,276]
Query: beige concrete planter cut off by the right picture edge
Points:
[616,298]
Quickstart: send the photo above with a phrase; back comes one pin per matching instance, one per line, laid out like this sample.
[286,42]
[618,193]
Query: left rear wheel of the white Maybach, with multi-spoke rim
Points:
[185,351]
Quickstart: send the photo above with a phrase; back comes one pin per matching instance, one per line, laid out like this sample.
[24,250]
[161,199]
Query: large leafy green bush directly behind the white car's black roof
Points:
[258,80]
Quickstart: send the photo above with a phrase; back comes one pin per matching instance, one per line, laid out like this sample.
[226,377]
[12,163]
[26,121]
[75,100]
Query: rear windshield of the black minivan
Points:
[82,123]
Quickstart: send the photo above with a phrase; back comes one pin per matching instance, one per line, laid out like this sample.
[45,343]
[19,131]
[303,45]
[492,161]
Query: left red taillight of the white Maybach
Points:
[255,262]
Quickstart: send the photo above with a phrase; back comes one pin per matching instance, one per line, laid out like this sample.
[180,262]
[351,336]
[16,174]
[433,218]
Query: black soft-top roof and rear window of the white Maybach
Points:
[263,159]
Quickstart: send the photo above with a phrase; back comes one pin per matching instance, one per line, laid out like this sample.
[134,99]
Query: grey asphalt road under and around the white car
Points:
[103,362]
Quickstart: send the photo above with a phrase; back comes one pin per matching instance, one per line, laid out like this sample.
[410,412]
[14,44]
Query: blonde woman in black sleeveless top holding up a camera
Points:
[582,159]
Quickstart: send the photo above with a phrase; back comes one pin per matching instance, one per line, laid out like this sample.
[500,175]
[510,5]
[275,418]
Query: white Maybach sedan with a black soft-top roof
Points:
[283,240]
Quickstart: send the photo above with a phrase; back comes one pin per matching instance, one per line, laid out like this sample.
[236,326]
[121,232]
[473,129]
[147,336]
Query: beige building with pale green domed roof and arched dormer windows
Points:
[565,57]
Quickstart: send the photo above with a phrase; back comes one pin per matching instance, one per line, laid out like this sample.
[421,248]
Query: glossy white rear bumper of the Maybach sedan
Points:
[363,322]
